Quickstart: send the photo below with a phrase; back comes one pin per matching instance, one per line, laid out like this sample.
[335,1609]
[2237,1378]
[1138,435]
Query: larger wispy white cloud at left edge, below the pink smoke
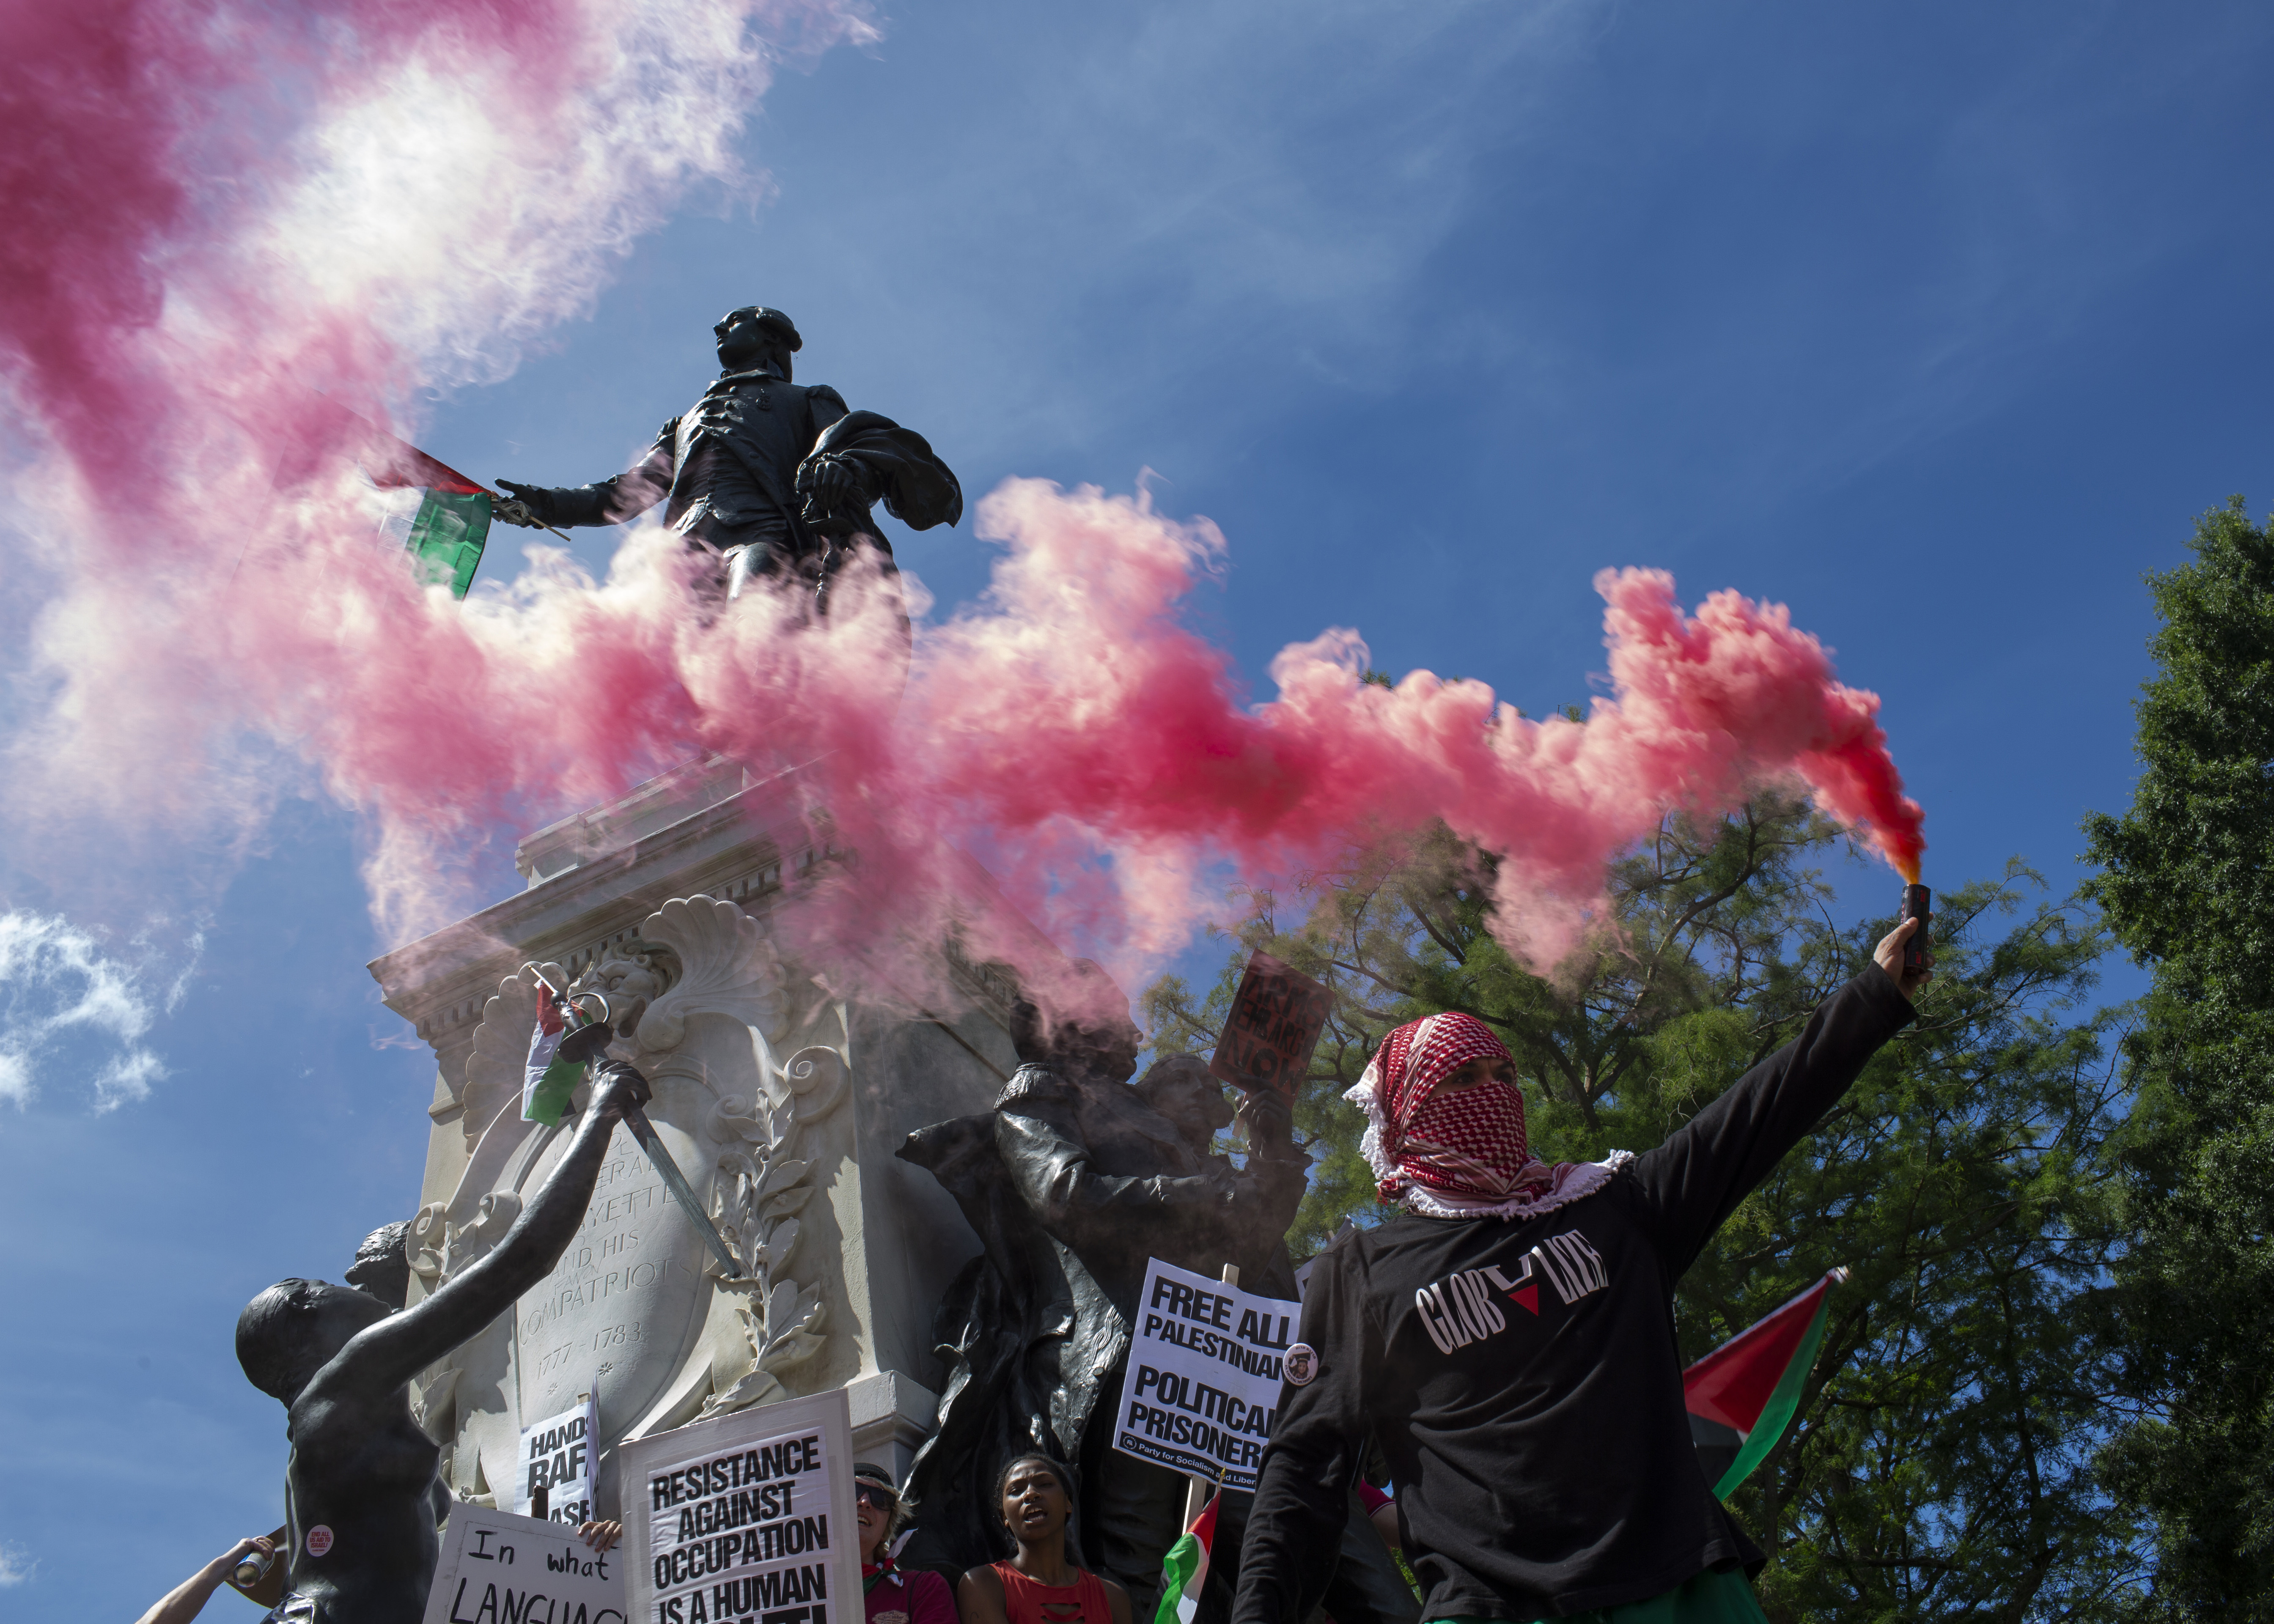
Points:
[60,986]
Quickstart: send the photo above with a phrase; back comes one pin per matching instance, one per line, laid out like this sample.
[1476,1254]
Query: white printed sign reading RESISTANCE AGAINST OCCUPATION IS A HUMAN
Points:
[745,1518]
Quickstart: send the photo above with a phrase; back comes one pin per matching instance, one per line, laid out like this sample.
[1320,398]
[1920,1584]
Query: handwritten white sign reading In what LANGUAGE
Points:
[497,1566]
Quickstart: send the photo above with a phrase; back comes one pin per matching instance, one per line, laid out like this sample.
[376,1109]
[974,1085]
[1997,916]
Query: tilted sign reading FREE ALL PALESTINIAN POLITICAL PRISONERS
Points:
[1204,1377]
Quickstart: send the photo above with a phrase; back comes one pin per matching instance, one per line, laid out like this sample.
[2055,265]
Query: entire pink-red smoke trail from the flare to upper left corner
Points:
[224,620]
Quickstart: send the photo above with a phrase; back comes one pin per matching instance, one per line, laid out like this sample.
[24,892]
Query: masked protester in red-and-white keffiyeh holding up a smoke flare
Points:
[1509,1339]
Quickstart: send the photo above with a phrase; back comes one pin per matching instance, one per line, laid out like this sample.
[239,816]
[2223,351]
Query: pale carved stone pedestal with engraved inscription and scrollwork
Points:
[779,1102]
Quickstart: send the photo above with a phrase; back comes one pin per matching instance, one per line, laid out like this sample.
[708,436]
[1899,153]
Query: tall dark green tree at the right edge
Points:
[2189,886]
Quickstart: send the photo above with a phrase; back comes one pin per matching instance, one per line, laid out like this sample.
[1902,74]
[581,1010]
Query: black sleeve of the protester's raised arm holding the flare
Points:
[1704,1170]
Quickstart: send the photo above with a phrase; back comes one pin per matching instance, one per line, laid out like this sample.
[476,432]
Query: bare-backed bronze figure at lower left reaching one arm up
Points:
[360,1493]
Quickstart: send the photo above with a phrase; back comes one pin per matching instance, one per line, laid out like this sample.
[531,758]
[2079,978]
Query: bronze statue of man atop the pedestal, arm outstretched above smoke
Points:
[772,477]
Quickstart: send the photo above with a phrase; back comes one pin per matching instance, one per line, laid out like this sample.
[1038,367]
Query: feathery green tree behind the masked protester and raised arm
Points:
[1941,1464]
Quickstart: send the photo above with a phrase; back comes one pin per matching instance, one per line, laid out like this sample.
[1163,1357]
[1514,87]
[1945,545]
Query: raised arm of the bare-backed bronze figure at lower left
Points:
[401,1345]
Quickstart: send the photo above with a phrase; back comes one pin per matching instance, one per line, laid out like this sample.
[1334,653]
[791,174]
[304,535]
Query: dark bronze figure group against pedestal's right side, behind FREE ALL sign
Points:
[1072,1184]
